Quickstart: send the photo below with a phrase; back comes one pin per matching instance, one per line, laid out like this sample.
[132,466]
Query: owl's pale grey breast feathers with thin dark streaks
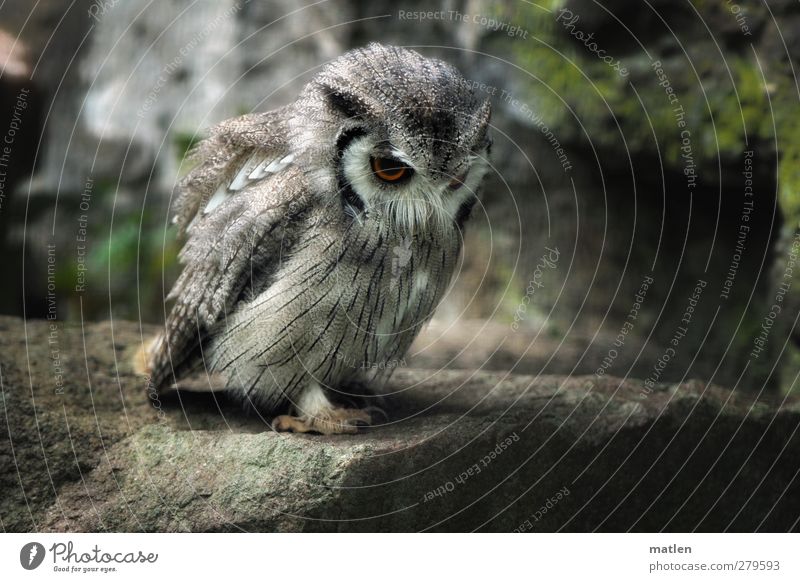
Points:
[345,303]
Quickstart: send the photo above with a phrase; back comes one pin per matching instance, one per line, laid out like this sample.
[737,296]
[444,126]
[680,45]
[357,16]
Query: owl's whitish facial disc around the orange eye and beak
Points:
[380,181]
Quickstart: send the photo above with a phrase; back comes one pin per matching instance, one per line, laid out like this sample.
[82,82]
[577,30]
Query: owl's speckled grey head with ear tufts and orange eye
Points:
[401,138]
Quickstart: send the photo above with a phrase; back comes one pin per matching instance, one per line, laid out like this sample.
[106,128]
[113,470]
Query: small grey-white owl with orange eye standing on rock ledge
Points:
[320,237]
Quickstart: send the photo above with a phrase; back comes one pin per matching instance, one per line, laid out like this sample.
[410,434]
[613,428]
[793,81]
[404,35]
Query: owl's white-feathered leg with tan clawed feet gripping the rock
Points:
[313,412]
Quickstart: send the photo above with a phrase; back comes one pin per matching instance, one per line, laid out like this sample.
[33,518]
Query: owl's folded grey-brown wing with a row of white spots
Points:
[233,208]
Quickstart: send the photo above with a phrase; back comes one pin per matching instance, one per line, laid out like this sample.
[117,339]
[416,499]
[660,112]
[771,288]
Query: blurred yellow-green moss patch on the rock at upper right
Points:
[721,108]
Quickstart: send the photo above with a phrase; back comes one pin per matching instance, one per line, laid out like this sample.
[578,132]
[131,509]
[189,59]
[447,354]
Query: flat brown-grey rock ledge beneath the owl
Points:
[82,448]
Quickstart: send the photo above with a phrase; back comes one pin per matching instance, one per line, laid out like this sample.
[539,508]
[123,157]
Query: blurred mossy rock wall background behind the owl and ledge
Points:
[640,219]
